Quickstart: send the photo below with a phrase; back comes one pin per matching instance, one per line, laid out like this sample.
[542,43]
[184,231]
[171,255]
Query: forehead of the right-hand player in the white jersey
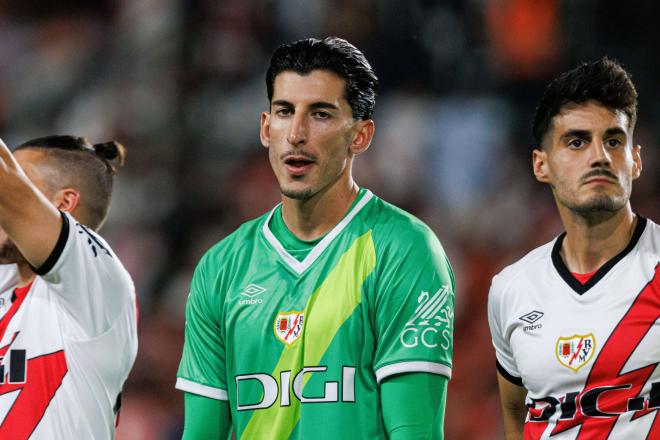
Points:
[590,116]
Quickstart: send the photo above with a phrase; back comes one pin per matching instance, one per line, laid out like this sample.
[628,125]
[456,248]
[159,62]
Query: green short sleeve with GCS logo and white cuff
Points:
[414,310]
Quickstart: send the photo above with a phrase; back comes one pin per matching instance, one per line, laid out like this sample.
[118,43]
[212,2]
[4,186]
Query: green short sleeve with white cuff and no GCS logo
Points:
[202,368]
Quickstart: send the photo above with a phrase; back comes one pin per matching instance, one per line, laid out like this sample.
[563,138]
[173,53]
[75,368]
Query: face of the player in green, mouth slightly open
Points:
[309,132]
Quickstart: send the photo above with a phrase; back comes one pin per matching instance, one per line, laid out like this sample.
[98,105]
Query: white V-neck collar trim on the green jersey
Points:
[300,266]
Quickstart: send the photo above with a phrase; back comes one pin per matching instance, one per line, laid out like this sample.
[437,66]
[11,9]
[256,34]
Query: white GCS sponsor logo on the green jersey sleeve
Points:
[431,323]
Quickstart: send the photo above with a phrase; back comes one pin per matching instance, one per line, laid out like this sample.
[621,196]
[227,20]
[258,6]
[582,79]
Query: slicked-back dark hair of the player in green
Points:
[335,55]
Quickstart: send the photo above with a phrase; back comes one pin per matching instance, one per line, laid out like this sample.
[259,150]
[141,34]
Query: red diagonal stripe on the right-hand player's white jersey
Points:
[606,370]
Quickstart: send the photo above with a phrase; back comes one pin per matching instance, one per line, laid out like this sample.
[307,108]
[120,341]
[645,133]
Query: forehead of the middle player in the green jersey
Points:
[316,86]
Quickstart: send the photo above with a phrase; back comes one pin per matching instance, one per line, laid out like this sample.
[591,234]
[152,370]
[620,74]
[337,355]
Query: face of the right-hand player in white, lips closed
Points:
[588,158]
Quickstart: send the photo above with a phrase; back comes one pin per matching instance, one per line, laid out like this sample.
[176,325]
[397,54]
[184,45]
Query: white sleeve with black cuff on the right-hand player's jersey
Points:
[506,363]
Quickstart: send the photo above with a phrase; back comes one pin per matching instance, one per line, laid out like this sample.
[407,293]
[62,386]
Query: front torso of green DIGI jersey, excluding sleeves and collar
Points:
[300,345]
